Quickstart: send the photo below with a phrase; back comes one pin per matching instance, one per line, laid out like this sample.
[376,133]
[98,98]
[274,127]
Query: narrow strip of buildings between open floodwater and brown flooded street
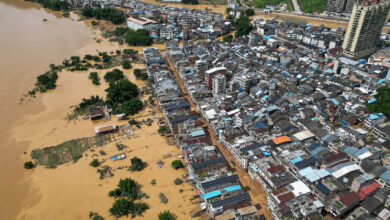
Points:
[216,184]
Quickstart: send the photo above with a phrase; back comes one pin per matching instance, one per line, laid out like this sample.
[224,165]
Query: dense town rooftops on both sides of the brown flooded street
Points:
[293,113]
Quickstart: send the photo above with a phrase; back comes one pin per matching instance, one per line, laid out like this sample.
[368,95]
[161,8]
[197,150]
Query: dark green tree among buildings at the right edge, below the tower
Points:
[382,103]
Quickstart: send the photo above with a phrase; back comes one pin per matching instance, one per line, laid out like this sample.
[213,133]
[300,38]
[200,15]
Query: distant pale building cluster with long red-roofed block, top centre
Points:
[168,22]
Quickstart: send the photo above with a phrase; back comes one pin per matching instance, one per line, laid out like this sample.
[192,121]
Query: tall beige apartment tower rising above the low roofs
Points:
[364,28]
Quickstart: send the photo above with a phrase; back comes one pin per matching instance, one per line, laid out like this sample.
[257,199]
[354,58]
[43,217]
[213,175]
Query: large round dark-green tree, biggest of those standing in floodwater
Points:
[121,91]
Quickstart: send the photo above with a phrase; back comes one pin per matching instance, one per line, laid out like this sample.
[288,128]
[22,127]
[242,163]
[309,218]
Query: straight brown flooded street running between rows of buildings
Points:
[258,195]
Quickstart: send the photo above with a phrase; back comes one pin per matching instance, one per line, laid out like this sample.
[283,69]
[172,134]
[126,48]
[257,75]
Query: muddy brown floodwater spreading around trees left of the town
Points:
[27,46]
